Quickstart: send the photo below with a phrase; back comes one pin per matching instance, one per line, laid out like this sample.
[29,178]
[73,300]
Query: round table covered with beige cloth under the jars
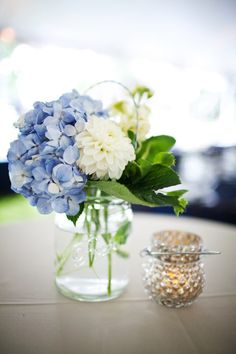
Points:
[35,318]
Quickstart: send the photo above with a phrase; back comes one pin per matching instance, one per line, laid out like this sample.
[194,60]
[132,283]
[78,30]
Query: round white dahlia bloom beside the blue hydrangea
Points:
[104,149]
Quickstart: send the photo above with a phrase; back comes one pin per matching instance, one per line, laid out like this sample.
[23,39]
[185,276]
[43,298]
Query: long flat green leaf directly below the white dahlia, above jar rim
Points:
[118,190]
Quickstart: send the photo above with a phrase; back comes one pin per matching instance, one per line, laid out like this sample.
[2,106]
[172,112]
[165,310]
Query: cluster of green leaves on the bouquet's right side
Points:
[143,180]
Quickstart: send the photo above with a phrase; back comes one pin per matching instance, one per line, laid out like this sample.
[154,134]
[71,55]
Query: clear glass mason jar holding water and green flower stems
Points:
[91,256]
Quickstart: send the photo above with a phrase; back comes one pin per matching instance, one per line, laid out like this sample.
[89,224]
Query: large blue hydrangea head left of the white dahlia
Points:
[42,161]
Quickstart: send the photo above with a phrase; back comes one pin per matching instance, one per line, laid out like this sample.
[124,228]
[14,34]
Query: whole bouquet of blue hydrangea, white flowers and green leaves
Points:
[71,144]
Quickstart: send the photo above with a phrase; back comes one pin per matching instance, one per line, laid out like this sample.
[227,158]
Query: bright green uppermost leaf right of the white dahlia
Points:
[154,145]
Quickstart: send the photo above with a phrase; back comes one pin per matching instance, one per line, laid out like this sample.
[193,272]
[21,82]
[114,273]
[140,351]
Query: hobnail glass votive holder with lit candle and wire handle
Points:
[172,276]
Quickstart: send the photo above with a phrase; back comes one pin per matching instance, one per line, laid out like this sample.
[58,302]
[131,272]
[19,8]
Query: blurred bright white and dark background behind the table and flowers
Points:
[185,51]
